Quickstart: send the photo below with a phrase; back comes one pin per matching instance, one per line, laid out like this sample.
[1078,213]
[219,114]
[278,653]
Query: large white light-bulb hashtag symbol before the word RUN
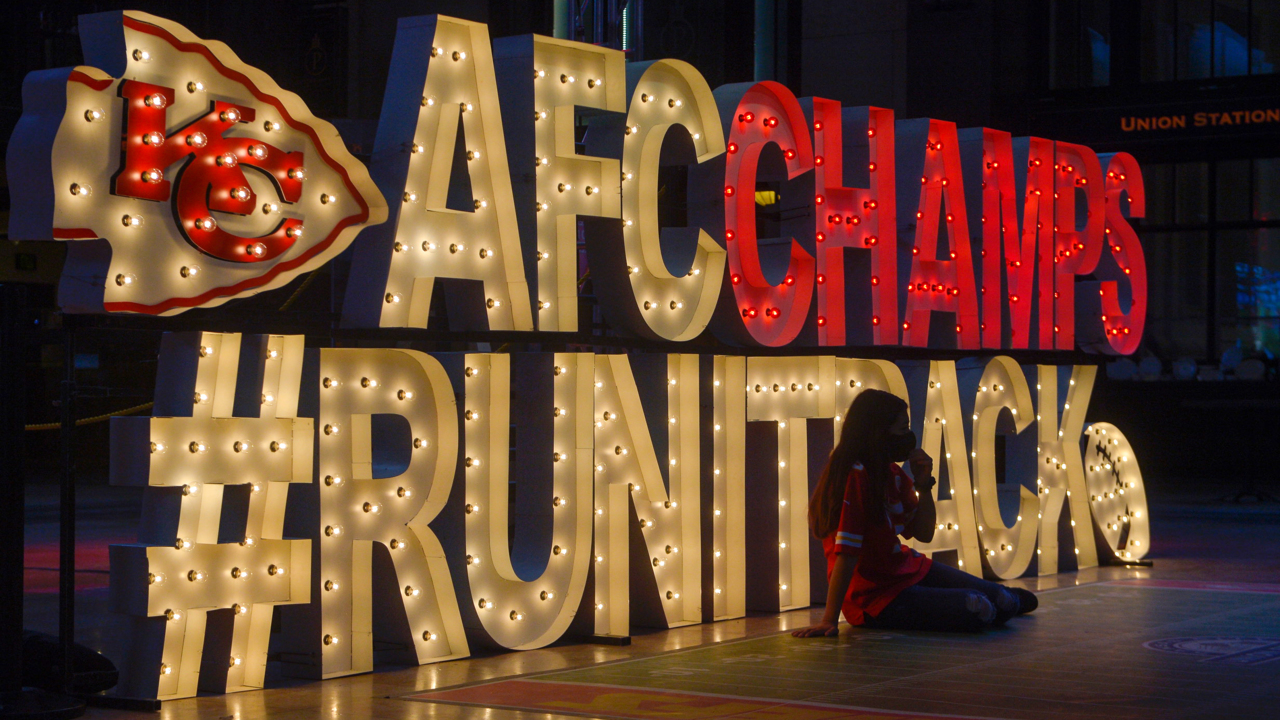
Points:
[211,446]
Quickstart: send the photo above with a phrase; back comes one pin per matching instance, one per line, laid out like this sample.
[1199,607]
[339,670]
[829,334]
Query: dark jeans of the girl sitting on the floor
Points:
[947,600]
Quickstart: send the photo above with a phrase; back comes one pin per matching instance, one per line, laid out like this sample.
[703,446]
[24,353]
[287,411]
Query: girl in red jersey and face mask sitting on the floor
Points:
[860,508]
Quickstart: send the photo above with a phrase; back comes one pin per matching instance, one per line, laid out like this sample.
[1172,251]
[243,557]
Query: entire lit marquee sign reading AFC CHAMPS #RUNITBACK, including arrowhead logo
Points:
[184,179]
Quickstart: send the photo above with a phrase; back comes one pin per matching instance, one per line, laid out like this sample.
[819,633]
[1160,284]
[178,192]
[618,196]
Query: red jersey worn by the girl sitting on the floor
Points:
[886,567]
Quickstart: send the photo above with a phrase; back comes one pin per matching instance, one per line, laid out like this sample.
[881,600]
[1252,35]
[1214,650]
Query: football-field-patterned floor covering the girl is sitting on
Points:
[1128,649]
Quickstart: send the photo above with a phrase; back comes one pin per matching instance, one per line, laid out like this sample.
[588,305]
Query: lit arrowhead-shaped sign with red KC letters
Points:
[182,176]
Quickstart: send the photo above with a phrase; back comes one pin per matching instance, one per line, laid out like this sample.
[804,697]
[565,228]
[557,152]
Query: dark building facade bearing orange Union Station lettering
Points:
[1190,88]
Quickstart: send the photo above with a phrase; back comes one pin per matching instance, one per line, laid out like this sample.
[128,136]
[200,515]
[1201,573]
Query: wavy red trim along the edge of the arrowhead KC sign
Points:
[296,125]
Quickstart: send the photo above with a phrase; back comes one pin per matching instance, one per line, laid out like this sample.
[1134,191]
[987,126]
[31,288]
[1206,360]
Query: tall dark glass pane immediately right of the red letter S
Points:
[1177,318]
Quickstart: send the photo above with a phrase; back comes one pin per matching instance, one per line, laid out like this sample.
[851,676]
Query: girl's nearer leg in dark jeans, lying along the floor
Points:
[950,610]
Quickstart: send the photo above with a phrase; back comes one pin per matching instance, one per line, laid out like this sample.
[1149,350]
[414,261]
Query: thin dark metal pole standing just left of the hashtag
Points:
[67,508]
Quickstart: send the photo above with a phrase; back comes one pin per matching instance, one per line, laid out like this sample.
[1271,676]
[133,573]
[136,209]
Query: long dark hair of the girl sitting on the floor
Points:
[863,439]
